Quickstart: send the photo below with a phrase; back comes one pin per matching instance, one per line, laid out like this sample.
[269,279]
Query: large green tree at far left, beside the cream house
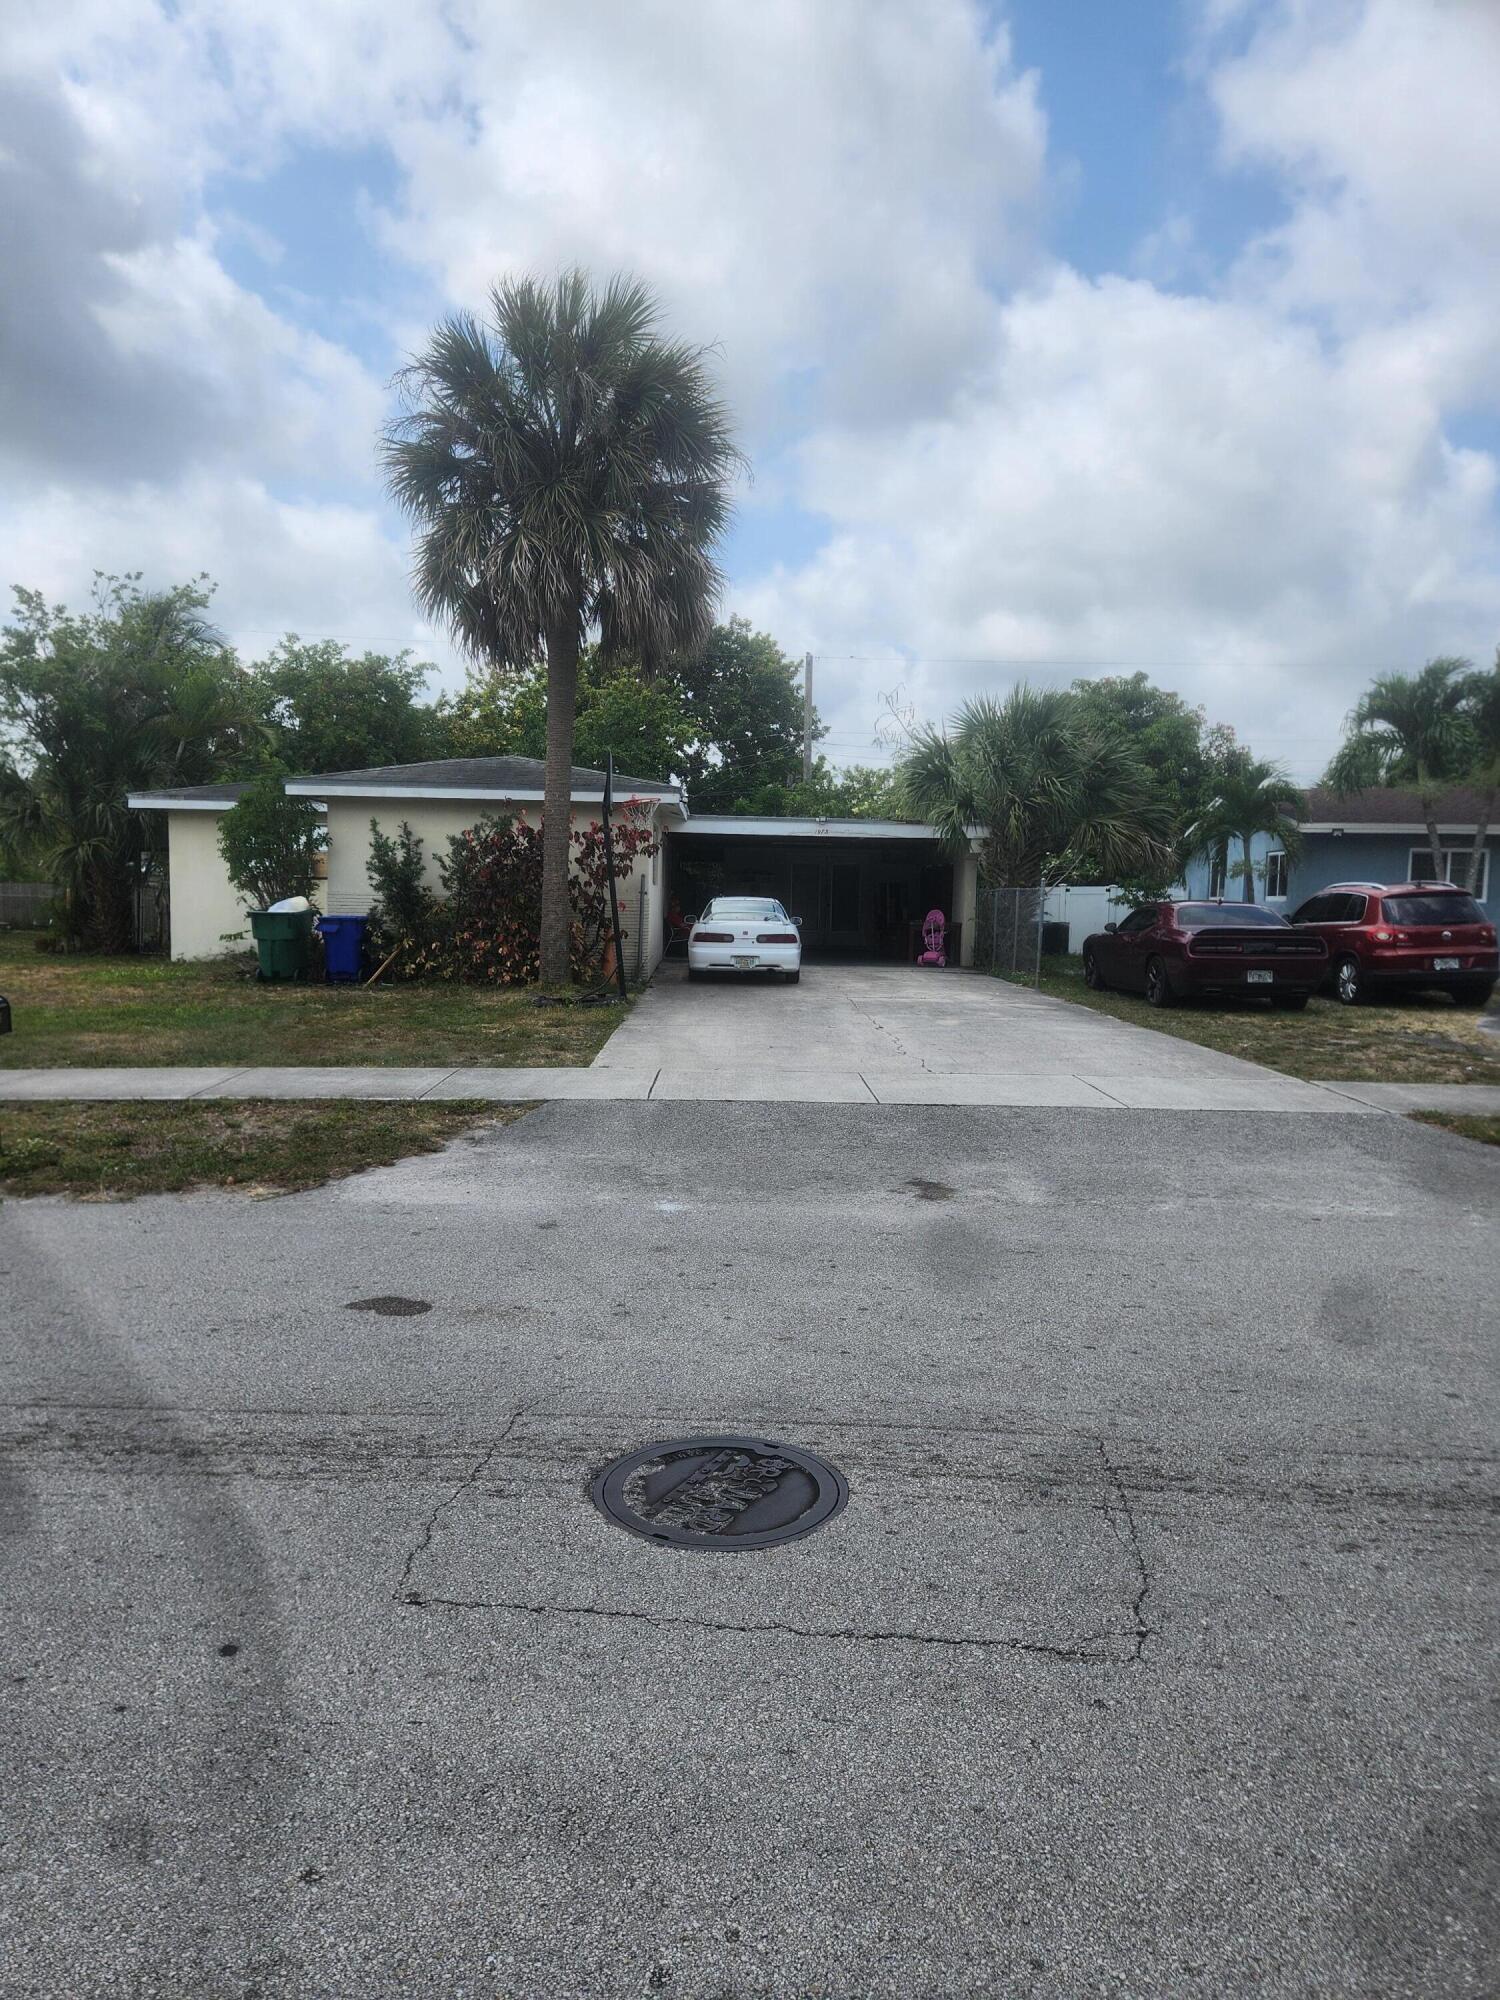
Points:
[133,695]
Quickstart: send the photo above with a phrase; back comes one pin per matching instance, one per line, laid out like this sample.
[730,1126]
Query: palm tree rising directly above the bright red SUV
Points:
[1411,729]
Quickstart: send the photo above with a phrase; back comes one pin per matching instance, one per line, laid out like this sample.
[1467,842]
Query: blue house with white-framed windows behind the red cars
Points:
[1365,837]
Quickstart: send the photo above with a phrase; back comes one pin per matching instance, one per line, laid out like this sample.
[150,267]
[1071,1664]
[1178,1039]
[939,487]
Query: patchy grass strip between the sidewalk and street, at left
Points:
[115,1151]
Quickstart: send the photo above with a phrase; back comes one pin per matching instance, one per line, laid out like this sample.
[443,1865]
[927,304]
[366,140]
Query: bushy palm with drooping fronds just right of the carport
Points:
[1047,797]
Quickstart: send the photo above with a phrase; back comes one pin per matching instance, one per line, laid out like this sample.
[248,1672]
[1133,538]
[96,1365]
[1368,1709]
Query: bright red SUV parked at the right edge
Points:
[1405,935]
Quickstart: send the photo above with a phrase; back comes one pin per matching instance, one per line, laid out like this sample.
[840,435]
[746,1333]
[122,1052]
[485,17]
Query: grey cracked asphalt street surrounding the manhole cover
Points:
[1153,1653]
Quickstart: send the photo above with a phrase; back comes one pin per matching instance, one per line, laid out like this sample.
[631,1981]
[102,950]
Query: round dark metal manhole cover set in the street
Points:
[721,1493]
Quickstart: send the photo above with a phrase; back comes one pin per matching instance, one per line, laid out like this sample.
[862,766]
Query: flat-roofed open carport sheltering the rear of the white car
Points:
[859,887]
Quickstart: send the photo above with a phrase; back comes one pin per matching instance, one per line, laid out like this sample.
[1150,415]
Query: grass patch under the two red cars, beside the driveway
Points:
[1407,1041]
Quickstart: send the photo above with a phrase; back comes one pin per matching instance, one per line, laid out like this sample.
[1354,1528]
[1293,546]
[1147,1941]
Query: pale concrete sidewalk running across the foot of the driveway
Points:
[747,1083]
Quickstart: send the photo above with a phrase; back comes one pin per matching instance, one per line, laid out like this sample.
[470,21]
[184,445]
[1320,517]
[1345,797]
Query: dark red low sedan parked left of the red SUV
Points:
[1169,951]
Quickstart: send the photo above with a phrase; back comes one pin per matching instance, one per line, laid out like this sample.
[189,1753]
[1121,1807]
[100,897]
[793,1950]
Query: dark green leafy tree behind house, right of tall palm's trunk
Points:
[745,705]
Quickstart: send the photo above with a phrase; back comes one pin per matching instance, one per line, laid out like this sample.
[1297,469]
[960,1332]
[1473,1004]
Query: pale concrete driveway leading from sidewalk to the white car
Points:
[899,1035]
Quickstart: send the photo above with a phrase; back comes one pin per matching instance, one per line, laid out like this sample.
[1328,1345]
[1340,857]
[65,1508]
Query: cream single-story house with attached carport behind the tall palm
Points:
[857,885]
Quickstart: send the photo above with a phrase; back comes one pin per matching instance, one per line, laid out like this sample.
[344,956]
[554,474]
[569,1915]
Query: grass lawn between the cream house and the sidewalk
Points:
[147,1011]
